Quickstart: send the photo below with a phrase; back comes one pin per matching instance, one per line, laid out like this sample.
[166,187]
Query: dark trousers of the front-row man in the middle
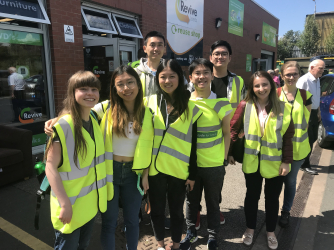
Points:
[212,180]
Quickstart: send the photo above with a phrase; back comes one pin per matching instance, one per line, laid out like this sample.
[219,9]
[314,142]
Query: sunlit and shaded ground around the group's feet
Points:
[311,224]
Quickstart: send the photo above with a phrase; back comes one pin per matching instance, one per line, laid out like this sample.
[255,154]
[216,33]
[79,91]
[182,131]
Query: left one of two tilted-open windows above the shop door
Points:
[98,21]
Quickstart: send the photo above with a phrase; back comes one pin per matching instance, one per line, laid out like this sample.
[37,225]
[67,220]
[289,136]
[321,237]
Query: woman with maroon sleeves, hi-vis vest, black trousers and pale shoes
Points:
[268,130]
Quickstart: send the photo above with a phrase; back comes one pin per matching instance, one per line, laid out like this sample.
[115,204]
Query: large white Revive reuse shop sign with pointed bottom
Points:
[185,30]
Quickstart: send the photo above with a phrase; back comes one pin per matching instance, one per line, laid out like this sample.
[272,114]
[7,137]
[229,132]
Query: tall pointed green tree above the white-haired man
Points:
[310,38]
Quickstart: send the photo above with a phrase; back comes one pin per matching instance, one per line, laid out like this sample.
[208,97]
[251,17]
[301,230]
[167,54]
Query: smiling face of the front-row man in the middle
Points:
[201,77]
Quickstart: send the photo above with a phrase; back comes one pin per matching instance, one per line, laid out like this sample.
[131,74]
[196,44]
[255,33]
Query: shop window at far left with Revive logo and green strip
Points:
[23,94]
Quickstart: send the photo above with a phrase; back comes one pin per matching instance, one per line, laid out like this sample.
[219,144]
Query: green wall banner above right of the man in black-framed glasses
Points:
[236,18]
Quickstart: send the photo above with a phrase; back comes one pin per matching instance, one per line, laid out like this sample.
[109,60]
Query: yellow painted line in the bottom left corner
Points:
[23,236]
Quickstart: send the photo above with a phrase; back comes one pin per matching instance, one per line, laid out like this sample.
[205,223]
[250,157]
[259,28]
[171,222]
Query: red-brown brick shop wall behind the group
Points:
[67,58]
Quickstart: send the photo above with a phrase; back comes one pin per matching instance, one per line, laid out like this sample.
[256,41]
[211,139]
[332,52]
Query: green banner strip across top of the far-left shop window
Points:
[18,37]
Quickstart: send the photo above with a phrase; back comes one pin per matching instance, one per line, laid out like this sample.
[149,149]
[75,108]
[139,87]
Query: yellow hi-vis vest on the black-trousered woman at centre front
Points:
[172,145]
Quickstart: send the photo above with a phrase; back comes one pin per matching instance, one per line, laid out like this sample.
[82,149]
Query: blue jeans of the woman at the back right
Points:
[290,185]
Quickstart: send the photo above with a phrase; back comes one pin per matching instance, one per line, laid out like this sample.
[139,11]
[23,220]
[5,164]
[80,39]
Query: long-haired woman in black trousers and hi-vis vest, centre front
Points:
[174,168]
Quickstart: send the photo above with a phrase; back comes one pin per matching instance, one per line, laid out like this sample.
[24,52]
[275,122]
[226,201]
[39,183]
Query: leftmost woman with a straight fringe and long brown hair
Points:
[75,165]
